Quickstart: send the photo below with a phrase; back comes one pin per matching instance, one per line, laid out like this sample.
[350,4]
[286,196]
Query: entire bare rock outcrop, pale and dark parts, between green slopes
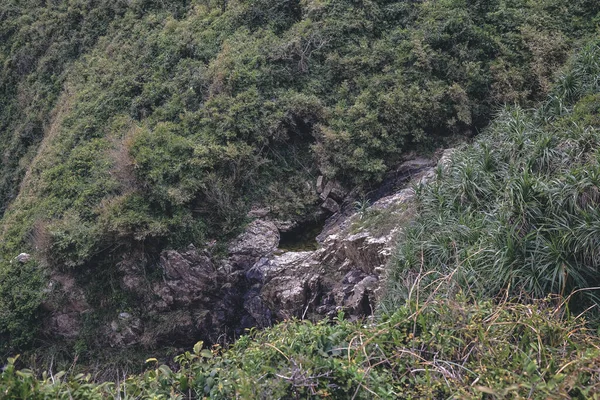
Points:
[201,297]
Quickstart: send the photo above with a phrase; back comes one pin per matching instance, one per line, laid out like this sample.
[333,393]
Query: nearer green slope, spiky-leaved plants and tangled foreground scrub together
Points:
[534,169]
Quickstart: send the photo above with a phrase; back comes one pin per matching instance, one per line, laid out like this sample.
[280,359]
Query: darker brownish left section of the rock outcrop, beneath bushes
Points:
[212,297]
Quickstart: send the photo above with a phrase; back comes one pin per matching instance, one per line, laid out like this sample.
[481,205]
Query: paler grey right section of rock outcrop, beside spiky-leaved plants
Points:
[343,274]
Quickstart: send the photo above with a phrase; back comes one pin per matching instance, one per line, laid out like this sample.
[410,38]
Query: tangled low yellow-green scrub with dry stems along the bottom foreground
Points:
[440,349]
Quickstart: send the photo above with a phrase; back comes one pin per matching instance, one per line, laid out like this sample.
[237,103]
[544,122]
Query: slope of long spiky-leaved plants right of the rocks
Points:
[518,209]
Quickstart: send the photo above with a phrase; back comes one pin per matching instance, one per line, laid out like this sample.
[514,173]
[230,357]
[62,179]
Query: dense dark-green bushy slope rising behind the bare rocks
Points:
[135,126]
